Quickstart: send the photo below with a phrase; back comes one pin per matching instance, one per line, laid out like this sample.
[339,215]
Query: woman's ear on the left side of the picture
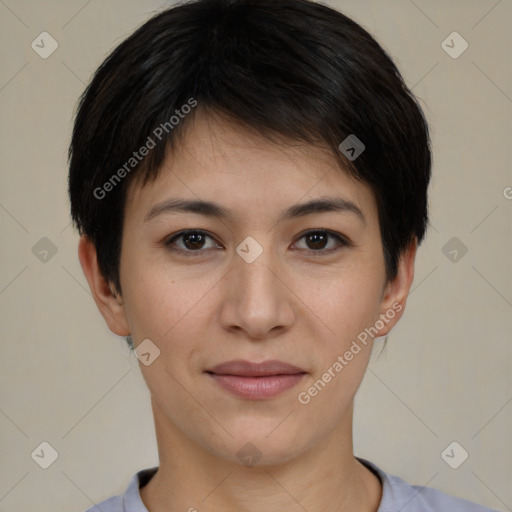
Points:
[108,301]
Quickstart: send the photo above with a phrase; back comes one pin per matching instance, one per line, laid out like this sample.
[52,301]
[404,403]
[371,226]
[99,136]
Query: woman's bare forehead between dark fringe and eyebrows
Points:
[225,161]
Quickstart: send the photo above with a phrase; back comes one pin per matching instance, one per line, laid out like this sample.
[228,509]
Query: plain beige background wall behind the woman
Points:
[446,374]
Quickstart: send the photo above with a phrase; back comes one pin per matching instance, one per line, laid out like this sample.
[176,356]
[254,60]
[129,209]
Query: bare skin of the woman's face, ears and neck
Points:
[297,302]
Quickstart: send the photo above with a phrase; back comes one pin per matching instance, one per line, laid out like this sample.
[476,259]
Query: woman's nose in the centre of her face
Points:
[257,299]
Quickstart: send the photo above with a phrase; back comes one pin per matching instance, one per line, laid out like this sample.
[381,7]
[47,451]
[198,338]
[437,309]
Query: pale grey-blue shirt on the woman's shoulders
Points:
[397,495]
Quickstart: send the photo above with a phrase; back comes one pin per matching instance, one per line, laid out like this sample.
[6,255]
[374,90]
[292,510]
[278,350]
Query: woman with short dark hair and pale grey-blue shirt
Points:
[249,179]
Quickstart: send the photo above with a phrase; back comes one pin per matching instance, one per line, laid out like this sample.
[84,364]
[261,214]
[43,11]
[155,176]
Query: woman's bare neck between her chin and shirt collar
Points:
[324,478]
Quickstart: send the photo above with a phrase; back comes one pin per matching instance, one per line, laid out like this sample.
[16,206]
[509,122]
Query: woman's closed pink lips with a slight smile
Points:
[256,381]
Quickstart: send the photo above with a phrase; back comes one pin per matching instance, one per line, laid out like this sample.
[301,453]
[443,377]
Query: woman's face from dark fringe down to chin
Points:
[258,280]
